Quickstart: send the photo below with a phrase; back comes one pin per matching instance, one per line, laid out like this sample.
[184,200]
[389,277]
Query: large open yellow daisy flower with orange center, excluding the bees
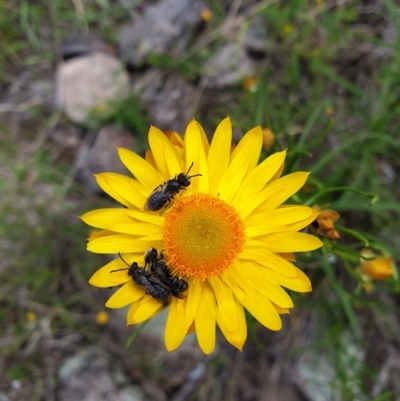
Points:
[226,234]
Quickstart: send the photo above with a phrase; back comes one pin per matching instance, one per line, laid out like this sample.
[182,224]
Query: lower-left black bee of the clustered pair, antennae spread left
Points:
[143,278]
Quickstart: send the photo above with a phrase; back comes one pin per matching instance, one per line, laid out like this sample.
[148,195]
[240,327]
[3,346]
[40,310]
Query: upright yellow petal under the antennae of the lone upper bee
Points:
[194,153]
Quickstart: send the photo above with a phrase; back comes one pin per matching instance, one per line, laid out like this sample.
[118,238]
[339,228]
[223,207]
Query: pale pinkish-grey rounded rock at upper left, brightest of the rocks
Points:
[87,82]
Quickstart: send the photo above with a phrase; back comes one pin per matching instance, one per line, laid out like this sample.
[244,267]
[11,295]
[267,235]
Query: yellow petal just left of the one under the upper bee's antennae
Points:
[166,157]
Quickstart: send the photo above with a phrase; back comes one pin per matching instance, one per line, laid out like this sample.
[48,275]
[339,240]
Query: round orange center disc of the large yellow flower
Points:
[203,236]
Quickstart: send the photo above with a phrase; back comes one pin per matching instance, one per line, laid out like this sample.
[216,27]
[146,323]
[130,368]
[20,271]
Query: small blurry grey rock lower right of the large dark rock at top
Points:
[228,67]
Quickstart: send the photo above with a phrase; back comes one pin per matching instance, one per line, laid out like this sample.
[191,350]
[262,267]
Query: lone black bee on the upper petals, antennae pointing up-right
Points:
[162,196]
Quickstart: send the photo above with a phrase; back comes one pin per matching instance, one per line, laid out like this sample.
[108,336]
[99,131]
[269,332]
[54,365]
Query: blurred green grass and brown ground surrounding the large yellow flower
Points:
[325,80]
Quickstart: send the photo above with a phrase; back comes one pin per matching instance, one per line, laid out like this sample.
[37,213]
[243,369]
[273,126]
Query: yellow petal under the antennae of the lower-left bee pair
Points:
[103,277]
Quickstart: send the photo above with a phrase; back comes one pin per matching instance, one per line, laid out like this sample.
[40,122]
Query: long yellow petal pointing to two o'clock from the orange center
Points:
[274,194]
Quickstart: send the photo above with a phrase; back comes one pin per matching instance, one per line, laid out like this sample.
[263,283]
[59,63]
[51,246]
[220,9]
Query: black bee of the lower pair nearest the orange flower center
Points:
[162,275]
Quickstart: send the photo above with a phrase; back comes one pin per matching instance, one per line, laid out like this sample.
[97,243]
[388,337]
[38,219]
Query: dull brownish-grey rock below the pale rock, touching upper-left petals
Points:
[99,154]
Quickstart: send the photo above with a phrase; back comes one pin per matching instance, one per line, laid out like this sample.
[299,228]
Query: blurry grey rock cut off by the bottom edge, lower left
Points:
[88,376]
